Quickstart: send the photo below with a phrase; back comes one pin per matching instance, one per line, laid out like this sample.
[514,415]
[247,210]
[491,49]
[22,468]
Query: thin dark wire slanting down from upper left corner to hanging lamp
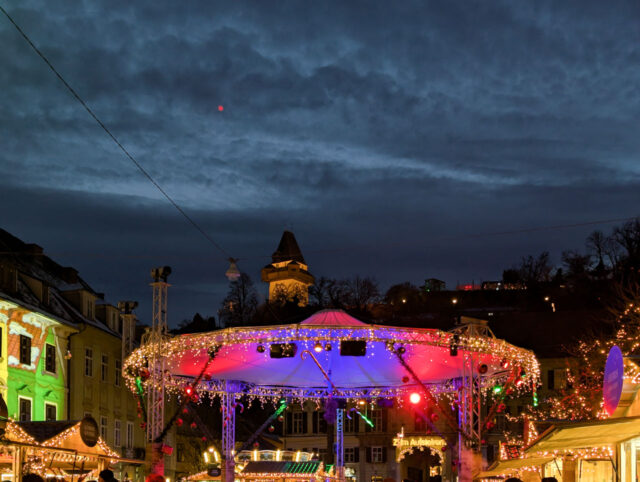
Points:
[113,137]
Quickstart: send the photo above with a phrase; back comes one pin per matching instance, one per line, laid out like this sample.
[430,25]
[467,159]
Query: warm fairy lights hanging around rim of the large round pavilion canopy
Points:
[182,350]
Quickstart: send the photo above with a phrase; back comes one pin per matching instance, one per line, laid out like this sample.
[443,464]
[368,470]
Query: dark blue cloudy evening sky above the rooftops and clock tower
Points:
[394,138]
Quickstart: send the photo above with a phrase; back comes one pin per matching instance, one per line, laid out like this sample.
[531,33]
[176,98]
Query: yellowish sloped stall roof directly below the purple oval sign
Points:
[587,434]
